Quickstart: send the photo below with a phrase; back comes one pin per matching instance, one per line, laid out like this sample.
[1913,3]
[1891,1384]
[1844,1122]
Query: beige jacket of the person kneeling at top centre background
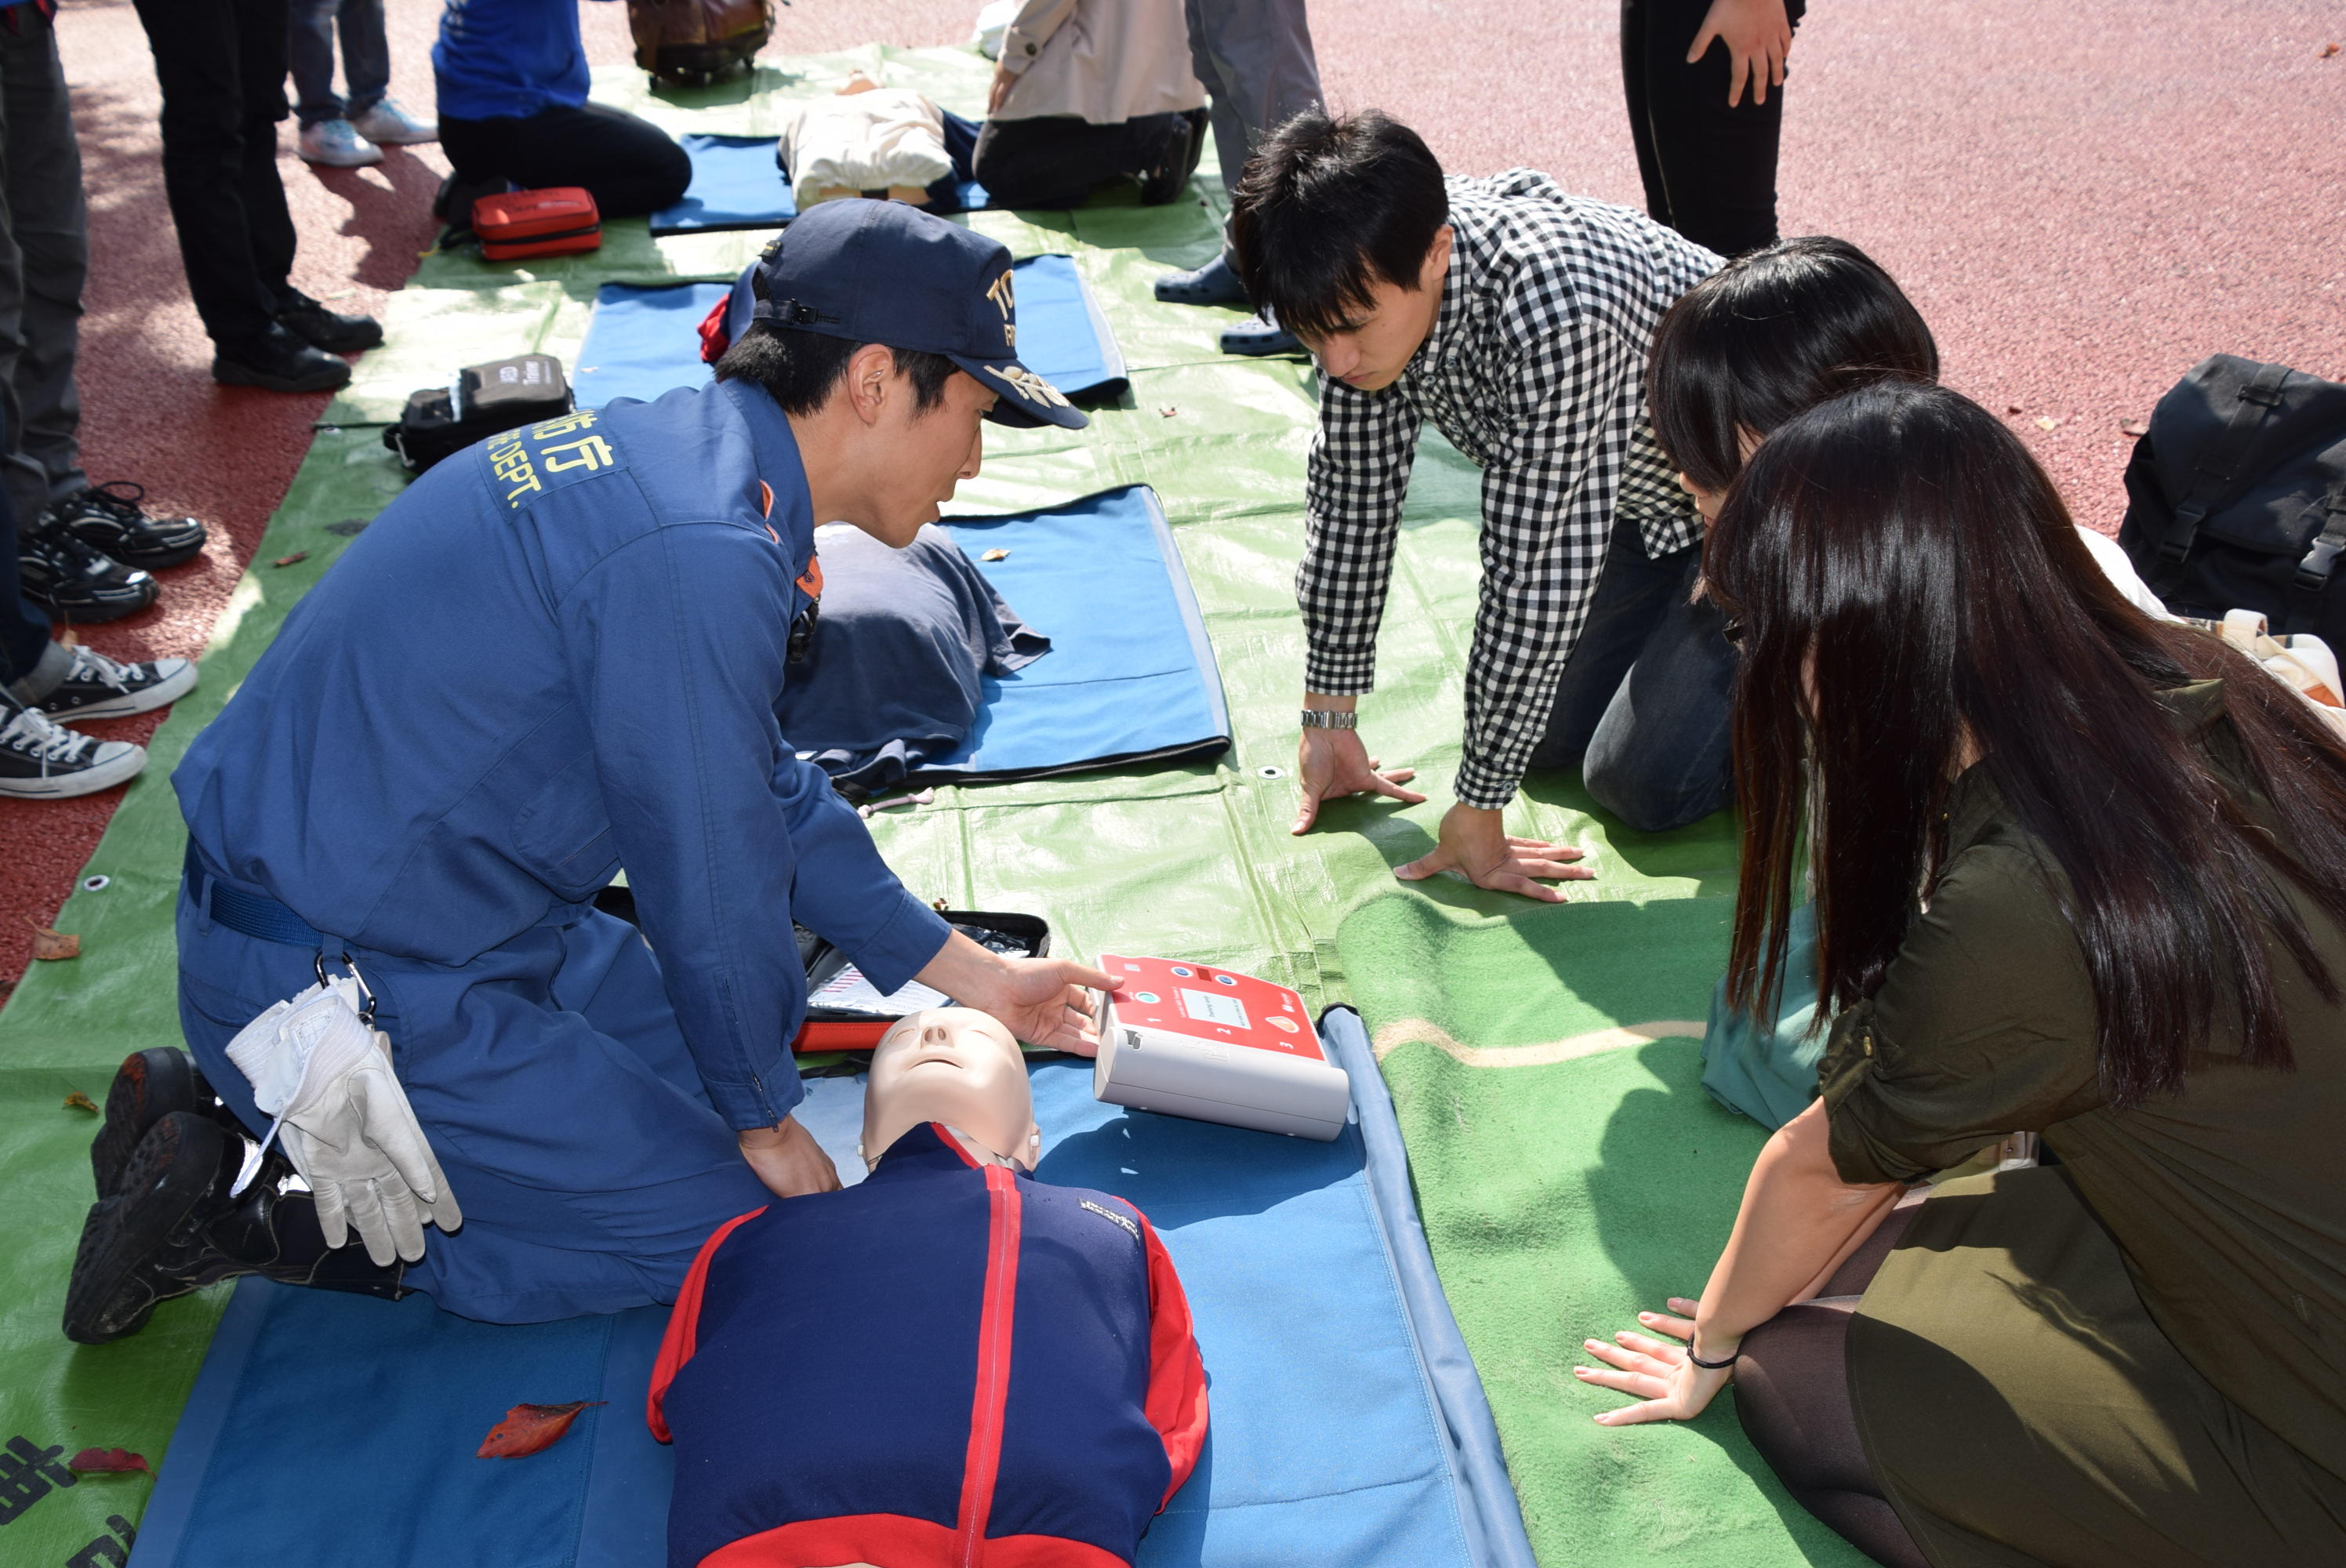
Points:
[1099,60]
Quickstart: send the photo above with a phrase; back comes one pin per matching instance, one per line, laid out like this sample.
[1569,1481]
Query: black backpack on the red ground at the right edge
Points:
[2237,496]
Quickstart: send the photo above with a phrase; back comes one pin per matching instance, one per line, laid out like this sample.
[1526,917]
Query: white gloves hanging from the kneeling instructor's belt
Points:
[325,1072]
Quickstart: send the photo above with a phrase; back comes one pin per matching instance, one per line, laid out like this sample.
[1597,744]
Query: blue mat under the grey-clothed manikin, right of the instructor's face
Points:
[1130,675]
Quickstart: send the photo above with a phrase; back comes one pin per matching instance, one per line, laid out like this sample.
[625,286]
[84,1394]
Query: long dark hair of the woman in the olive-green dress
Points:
[1906,576]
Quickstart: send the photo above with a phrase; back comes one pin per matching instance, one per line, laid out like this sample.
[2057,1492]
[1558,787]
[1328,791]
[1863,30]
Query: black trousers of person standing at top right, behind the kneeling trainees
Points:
[1709,170]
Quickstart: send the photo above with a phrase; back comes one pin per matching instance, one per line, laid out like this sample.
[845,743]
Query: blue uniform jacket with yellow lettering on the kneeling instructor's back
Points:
[552,658]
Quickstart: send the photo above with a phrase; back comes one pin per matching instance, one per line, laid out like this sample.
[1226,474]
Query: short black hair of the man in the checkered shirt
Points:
[1331,205]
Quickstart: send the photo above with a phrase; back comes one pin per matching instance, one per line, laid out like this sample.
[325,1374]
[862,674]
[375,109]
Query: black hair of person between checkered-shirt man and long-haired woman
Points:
[1770,337]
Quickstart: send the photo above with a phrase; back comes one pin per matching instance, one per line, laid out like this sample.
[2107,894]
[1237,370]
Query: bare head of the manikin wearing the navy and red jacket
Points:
[954,1067]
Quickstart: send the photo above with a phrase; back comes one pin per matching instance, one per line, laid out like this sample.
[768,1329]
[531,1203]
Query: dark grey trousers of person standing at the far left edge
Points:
[43,264]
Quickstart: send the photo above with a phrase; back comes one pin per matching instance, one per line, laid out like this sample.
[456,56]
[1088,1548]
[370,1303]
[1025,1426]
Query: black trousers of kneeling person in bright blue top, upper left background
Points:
[628,165]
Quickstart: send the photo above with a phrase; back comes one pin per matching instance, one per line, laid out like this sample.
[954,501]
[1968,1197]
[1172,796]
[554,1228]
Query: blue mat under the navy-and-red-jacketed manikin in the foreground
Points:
[1348,1421]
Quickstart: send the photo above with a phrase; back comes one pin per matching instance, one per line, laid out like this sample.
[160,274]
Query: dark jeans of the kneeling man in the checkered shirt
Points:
[1646,701]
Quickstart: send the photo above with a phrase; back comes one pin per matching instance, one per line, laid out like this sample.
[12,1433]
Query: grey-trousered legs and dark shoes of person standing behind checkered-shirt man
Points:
[1259,69]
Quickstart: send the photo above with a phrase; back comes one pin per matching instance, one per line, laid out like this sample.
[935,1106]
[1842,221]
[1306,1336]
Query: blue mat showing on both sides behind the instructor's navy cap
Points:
[646,339]
